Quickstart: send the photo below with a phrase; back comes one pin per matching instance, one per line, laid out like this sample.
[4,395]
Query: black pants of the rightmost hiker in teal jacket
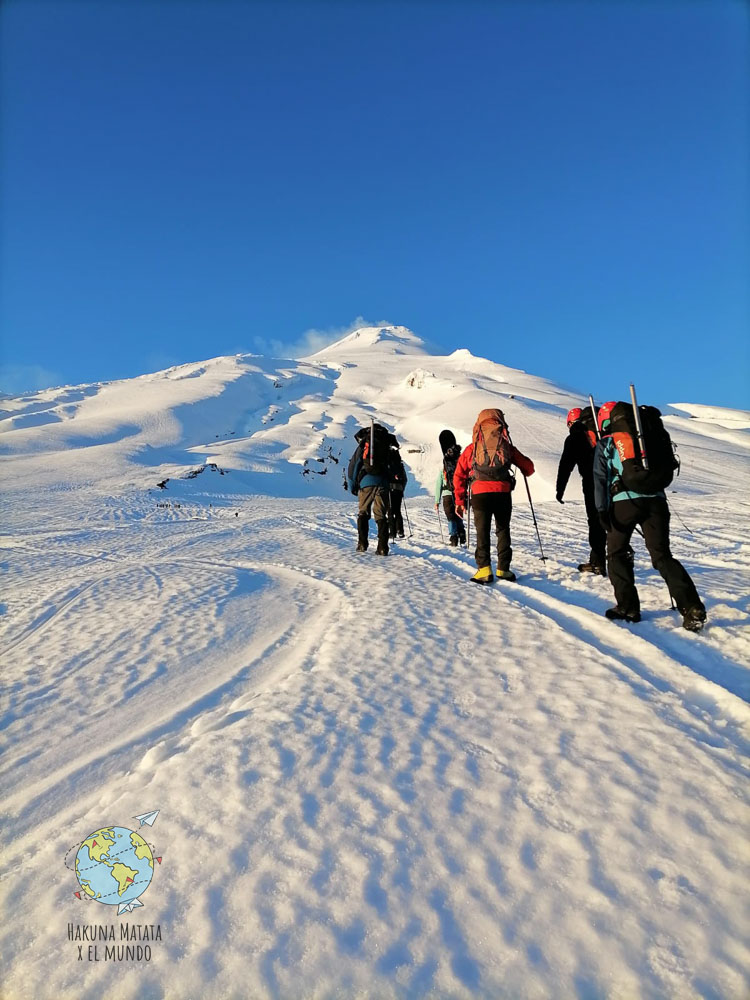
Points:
[652,513]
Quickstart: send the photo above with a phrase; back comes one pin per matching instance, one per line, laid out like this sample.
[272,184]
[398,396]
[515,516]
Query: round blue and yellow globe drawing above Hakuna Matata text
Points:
[114,866]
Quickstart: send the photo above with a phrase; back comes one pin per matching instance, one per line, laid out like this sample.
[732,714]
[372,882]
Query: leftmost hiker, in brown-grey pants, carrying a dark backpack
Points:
[369,480]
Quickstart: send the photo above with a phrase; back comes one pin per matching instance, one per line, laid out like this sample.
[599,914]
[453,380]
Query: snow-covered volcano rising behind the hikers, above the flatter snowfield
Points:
[285,428]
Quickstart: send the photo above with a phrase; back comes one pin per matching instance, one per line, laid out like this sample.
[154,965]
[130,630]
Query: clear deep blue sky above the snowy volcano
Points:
[561,187]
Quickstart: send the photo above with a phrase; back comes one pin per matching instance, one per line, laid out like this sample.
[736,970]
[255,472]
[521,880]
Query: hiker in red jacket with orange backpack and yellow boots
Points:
[485,466]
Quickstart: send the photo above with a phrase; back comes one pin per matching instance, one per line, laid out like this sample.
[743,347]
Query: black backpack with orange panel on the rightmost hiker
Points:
[660,452]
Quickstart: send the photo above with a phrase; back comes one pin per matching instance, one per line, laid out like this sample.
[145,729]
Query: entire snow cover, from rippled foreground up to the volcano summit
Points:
[373,779]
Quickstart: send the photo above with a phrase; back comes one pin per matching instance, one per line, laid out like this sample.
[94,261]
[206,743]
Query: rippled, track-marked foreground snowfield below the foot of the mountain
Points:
[375,779]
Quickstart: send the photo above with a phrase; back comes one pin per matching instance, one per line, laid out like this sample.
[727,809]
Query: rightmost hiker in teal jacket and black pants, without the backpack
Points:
[620,511]
